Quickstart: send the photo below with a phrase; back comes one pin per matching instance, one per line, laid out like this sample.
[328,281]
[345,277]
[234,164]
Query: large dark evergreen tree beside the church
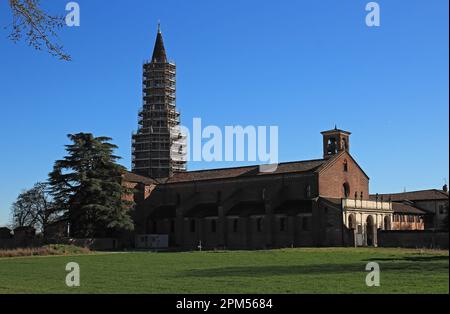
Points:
[87,187]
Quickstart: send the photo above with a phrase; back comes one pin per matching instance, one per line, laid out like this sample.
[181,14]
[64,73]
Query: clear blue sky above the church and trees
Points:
[302,65]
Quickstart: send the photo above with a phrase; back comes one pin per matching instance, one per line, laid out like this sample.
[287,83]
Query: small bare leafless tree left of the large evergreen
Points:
[34,208]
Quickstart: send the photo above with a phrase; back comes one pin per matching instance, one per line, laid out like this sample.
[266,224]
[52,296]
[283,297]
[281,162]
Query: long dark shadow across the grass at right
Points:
[277,270]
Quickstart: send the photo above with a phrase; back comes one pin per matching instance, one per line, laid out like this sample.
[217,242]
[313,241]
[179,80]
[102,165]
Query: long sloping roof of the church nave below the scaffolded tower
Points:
[247,171]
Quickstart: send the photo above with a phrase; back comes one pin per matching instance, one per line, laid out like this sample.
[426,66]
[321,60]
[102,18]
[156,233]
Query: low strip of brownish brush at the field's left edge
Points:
[52,249]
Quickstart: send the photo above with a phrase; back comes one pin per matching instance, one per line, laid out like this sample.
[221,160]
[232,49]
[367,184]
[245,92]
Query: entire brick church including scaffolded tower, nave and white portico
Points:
[321,202]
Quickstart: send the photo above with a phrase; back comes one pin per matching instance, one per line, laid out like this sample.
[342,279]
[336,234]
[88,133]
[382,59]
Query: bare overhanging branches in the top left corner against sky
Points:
[38,27]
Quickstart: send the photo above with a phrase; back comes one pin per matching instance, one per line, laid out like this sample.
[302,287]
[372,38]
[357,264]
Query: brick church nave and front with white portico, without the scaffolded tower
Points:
[302,203]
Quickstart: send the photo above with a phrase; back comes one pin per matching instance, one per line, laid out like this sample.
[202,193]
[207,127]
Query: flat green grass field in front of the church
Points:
[311,270]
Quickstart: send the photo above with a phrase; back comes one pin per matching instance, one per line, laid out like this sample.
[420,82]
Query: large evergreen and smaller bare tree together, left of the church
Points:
[84,191]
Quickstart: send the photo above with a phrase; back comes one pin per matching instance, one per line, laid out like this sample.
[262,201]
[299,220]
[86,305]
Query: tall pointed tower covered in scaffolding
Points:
[158,146]
